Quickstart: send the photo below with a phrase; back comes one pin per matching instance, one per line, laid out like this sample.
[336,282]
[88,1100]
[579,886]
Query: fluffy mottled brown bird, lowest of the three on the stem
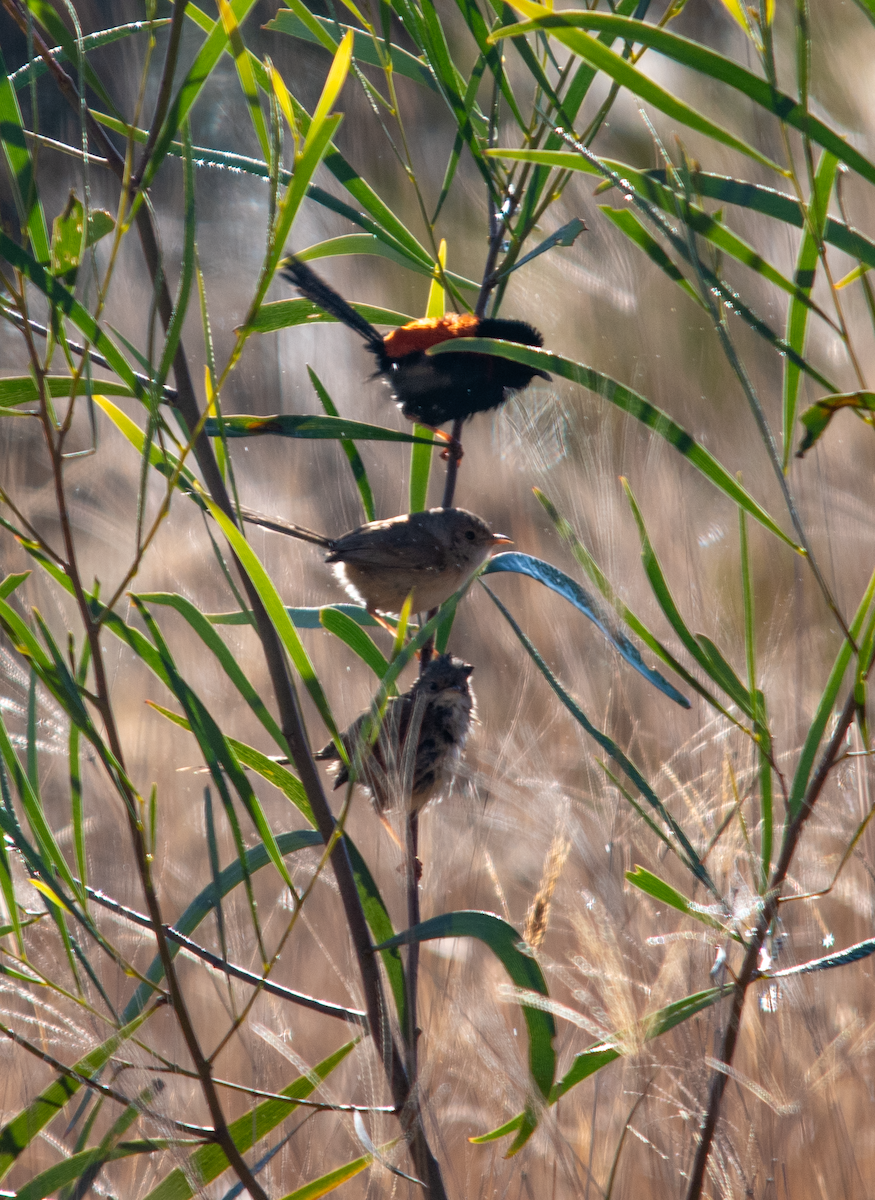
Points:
[421,740]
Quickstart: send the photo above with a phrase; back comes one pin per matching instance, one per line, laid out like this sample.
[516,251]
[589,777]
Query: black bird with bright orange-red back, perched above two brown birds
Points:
[437,389]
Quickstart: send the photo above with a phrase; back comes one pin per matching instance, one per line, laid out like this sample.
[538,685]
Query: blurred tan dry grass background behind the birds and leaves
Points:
[531,800]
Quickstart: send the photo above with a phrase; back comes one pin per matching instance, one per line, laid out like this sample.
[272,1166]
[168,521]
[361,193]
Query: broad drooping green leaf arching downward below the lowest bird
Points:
[506,944]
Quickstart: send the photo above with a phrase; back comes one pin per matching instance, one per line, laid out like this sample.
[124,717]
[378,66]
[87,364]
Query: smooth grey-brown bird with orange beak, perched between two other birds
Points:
[429,554]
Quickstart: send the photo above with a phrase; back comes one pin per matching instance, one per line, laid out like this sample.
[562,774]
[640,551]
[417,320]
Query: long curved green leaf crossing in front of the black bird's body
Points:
[632,403]
